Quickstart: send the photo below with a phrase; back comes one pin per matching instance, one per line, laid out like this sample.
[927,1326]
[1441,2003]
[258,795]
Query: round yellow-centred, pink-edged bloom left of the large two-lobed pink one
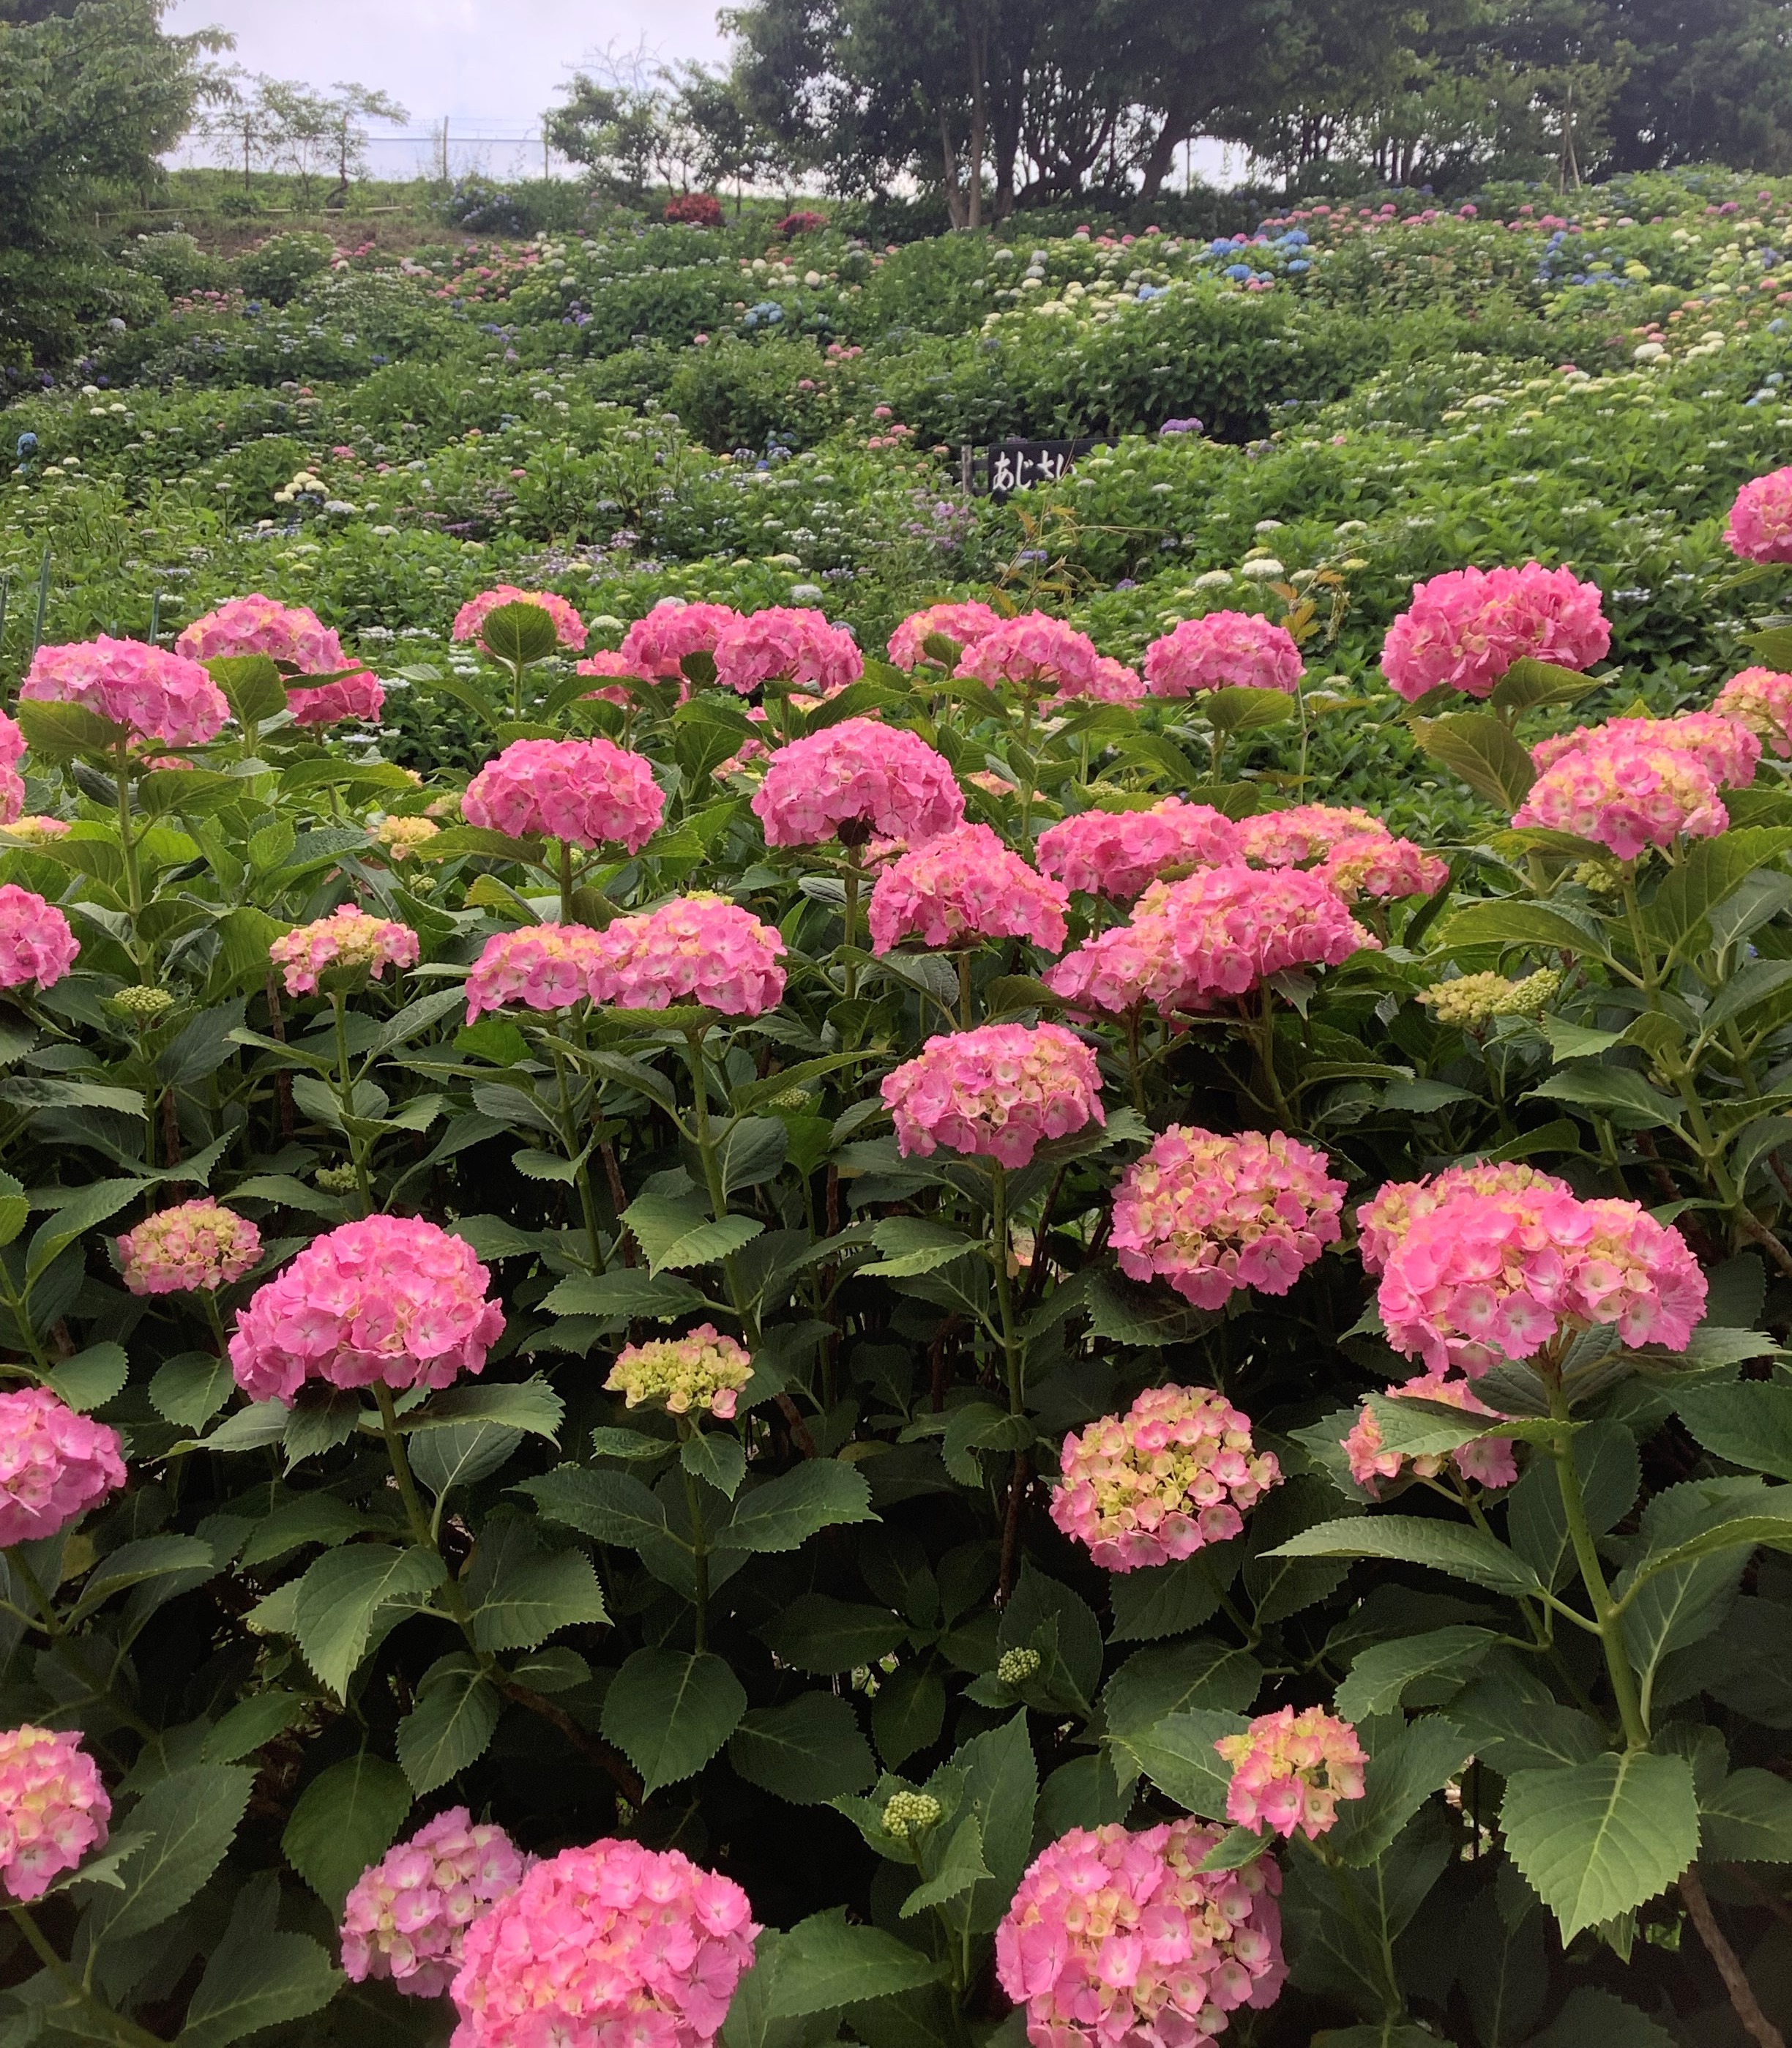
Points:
[1162,1482]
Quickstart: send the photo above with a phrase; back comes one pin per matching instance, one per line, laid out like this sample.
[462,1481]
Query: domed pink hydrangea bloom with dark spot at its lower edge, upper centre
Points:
[857,779]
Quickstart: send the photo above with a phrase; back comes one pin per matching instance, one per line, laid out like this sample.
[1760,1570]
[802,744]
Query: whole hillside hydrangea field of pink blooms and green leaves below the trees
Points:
[790,1258]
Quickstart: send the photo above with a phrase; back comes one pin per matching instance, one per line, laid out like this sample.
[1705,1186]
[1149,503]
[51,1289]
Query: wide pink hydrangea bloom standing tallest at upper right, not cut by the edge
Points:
[1467,628]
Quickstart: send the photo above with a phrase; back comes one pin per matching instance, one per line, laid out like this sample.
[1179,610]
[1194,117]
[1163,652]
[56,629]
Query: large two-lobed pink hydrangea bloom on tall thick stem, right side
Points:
[1480,1279]
